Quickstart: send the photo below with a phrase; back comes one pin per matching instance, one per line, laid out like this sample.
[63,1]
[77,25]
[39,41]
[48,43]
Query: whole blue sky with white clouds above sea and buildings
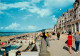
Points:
[31,15]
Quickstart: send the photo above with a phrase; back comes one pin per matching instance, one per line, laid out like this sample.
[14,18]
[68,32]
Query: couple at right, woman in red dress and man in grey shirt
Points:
[73,38]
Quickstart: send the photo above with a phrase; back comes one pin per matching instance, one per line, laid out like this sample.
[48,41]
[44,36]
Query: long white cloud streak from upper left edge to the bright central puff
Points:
[26,6]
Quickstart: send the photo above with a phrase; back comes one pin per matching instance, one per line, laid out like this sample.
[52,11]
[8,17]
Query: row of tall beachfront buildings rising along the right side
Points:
[70,20]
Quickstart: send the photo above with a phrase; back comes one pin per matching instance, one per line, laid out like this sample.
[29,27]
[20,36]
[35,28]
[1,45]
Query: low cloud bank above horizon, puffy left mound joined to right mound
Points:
[16,26]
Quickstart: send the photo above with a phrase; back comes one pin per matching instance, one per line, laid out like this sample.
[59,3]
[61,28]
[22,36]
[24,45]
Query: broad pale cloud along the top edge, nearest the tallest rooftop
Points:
[58,3]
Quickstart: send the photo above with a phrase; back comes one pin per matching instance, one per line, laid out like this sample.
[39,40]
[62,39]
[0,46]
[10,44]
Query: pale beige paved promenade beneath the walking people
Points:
[59,48]
